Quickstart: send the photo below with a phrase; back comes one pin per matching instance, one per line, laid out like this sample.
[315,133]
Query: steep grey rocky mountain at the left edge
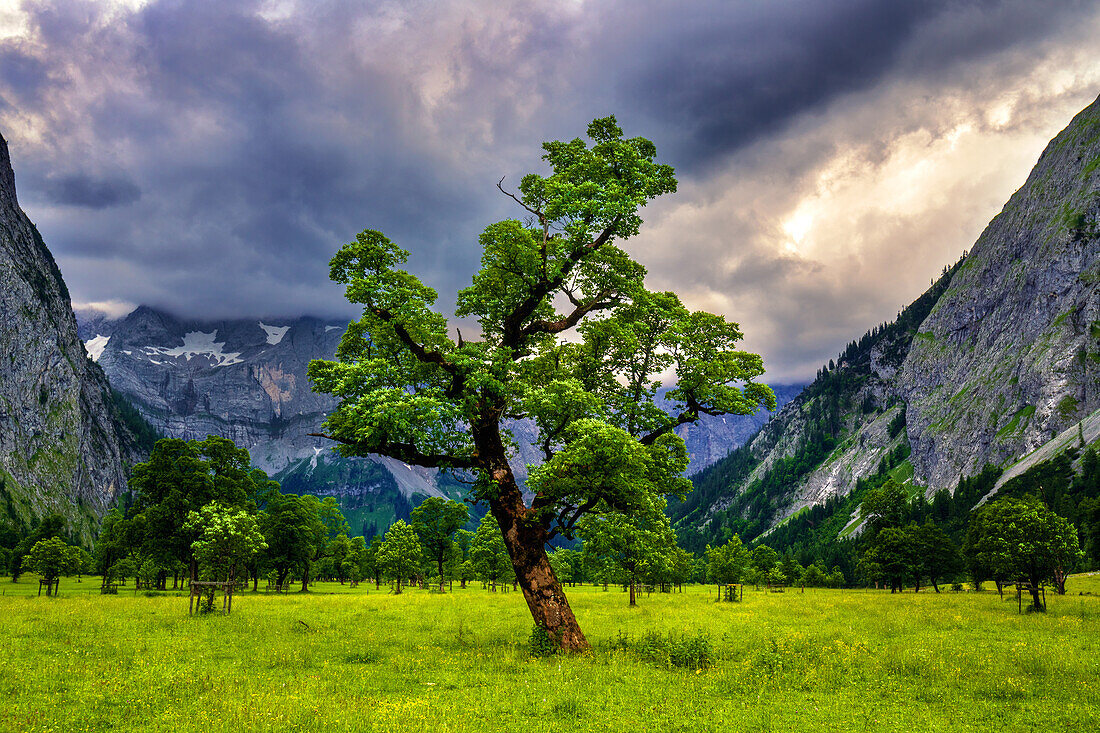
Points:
[64,443]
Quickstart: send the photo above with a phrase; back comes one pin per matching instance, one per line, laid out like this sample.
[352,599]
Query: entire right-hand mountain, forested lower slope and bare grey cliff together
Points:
[996,359]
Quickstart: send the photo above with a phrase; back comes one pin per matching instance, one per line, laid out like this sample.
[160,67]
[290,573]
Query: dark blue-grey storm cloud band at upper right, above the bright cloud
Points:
[724,79]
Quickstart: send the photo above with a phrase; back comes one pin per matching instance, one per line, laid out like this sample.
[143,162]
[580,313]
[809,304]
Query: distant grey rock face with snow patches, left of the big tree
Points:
[243,380]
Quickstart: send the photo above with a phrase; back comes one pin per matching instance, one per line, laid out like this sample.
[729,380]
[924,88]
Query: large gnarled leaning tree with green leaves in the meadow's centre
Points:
[410,390]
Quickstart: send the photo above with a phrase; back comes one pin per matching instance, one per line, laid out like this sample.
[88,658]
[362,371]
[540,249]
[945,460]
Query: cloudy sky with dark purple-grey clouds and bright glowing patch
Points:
[210,157]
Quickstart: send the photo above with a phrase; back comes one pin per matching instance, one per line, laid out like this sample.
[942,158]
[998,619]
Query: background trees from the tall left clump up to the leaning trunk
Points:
[199,510]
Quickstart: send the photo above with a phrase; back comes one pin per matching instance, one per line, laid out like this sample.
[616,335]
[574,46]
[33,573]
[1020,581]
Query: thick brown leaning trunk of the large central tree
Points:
[526,538]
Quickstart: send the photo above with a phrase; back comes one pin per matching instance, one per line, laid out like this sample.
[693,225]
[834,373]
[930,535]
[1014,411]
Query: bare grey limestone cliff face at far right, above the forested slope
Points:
[1010,355]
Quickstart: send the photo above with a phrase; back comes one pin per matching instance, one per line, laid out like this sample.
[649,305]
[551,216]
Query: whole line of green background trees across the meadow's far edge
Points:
[199,509]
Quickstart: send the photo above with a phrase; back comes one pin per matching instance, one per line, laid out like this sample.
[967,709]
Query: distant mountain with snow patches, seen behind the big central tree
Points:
[246,380]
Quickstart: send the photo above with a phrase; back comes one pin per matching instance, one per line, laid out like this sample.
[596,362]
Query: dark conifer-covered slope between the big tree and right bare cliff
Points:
[840,429]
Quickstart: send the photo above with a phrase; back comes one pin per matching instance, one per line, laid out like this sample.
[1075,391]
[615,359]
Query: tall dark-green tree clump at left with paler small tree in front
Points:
[197,509]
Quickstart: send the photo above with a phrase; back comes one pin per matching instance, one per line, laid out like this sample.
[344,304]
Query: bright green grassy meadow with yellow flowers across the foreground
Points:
[361,660]
